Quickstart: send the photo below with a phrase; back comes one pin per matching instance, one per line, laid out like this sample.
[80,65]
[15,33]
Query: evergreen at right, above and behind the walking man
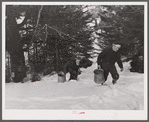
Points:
[126,25]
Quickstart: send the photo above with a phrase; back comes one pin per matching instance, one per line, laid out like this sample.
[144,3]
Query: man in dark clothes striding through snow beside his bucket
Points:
[107,59]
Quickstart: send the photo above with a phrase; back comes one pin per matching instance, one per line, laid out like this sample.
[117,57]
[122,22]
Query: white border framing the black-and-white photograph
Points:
[13,114]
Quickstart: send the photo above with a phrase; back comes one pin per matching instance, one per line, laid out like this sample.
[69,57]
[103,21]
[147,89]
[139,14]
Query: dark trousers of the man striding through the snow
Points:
[110,69]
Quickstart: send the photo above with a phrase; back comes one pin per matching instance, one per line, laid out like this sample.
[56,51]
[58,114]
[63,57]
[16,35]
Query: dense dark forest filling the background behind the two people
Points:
[42,38]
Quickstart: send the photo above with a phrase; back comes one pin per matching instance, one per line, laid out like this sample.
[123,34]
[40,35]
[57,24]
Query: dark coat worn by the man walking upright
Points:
[109,58]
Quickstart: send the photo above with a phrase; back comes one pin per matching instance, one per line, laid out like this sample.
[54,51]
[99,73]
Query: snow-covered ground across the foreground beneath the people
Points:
[47,94]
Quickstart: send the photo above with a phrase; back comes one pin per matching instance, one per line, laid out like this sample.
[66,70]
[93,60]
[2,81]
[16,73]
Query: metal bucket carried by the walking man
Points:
[99,76]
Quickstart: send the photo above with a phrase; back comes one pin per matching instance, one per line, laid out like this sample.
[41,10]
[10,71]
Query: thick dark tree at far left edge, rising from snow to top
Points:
[13,45]
